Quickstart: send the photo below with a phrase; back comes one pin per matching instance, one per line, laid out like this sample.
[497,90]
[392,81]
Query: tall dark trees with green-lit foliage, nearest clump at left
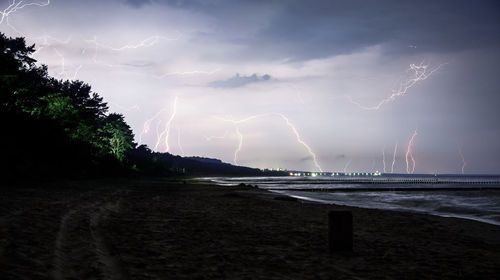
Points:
[54,126]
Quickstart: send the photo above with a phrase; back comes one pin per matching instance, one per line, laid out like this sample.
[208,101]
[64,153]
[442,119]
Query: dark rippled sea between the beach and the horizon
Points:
[469,197]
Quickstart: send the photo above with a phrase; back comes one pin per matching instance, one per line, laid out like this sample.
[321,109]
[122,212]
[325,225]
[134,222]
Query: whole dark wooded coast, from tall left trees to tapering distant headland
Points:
[62,129]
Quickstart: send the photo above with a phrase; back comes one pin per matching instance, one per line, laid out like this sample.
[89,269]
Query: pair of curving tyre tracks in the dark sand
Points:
[81,249]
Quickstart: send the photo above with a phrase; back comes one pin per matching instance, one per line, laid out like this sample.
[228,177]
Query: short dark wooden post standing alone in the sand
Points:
[340,235]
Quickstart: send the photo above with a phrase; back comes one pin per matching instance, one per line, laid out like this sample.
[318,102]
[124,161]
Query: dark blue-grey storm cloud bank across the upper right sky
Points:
[303,30]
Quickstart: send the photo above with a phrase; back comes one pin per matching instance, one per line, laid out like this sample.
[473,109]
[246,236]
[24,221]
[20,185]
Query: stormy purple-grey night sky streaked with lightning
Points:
[356,86]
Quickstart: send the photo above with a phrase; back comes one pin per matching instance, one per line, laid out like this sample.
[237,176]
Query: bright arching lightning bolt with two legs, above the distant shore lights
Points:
[289,124]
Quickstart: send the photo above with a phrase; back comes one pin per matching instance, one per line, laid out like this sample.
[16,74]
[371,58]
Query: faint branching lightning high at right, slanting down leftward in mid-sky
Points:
[419,72]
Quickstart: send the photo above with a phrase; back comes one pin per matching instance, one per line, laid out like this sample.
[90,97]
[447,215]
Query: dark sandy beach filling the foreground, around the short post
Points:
[152,229]
